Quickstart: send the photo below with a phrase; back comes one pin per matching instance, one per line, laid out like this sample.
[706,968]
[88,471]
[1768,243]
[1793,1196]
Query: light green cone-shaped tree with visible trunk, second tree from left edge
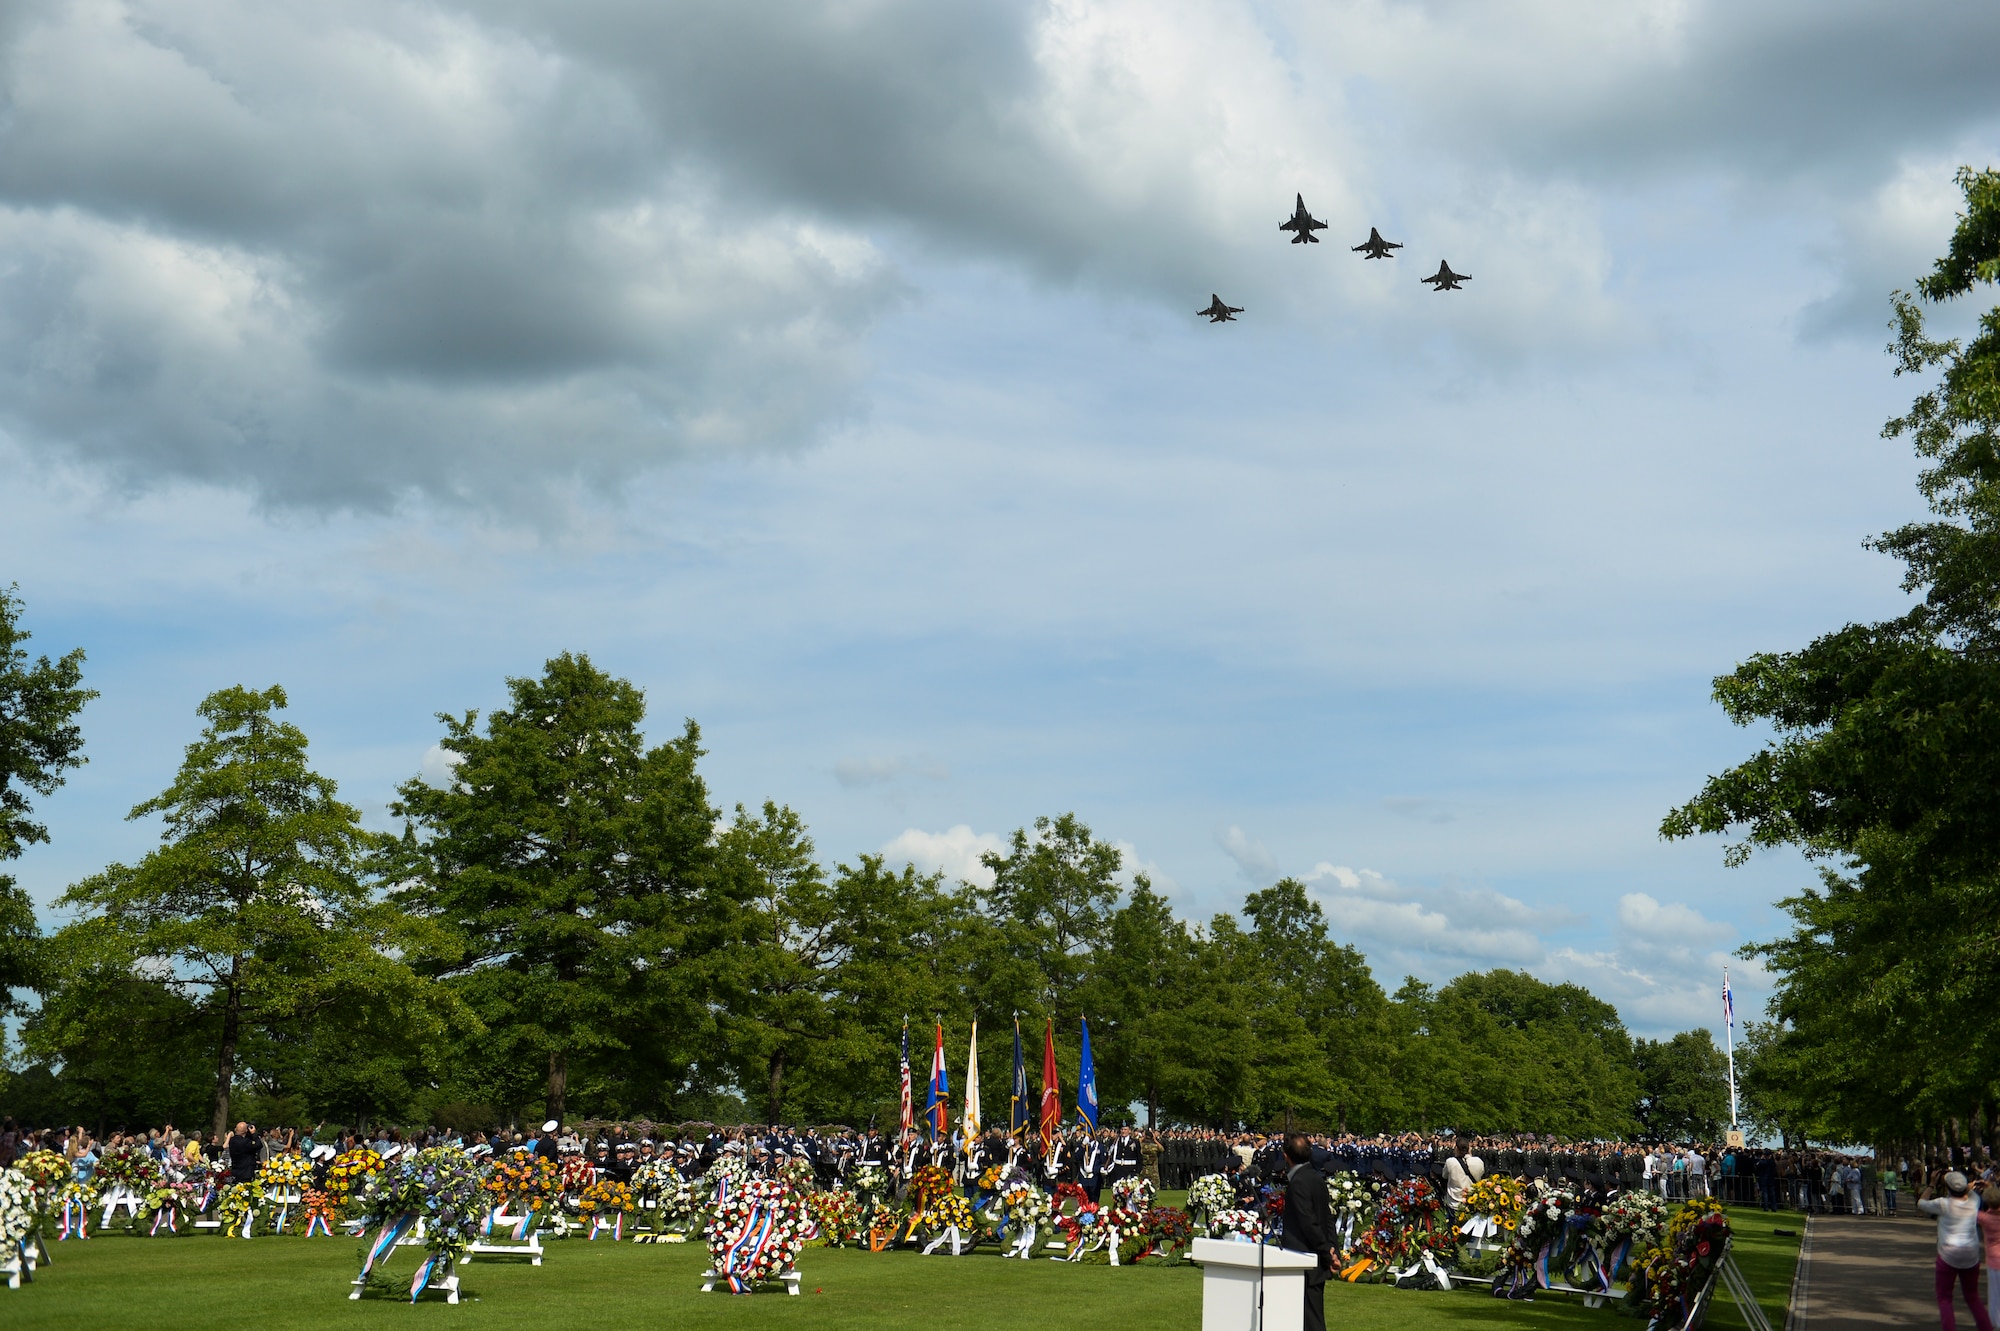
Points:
[255,902]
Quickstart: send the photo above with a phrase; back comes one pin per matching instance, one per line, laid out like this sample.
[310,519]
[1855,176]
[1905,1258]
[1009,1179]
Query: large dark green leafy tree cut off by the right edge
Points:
[1885,766]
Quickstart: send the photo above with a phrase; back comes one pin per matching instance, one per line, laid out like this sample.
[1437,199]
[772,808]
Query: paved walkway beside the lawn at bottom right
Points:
[1865,1272]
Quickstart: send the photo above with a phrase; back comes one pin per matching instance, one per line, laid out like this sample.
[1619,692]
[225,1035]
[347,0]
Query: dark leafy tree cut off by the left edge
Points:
[41,740]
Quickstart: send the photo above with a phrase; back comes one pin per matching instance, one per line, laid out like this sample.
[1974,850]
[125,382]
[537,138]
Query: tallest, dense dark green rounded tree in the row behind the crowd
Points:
[569,876]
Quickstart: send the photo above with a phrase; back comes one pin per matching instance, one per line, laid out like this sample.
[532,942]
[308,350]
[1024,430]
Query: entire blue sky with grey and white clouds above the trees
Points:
[833,373]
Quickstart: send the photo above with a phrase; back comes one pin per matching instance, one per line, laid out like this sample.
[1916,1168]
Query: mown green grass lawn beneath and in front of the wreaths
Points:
[273,1284]
